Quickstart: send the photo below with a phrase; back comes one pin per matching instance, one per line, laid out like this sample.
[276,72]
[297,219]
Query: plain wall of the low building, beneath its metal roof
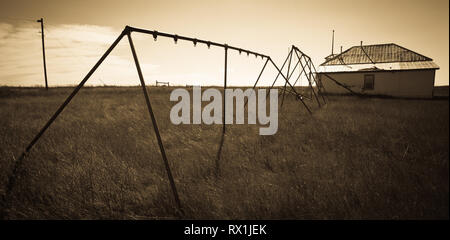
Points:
[411,83]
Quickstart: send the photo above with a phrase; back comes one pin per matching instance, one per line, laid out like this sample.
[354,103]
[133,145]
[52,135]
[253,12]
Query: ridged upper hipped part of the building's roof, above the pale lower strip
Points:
[380,53]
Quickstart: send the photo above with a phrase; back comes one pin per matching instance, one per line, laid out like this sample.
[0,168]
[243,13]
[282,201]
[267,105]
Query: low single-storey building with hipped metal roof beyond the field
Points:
[383,69]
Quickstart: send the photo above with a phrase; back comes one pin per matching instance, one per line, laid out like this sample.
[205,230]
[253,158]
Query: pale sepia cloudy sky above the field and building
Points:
[78,32]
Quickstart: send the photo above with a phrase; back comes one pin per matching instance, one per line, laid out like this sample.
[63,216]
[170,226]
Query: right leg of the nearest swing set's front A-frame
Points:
[155,125]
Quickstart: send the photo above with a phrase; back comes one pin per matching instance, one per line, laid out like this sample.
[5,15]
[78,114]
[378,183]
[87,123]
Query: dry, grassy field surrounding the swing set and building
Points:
[352,159]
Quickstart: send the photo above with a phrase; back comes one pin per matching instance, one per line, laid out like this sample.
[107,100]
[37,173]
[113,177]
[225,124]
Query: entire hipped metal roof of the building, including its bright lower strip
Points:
[380,57]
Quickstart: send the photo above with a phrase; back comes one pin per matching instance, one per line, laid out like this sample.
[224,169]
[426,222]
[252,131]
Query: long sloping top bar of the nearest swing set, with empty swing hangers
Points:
[194,40]
